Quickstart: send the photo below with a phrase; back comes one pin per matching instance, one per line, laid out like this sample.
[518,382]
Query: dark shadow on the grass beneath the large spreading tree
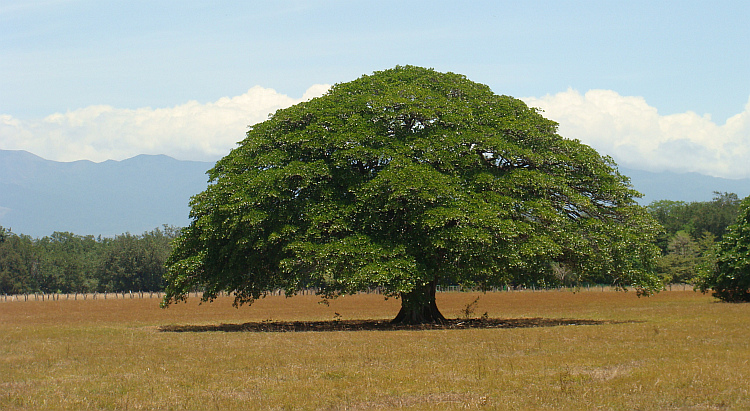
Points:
[383,325]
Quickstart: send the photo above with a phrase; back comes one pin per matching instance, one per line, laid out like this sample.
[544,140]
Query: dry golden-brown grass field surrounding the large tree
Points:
[677,350]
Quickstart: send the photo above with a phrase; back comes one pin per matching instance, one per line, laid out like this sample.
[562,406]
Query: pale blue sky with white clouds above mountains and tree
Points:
[658,85]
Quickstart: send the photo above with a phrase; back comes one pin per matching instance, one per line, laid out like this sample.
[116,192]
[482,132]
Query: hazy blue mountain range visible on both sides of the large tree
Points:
[39,197]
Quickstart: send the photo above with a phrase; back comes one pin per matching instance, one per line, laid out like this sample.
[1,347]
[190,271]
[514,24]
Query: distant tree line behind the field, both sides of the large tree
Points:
[68,263]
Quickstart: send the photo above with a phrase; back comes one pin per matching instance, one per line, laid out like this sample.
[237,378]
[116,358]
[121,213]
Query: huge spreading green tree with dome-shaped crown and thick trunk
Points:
[403,180]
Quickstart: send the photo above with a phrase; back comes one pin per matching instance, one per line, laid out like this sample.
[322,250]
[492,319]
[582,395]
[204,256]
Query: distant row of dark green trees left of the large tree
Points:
[68,263]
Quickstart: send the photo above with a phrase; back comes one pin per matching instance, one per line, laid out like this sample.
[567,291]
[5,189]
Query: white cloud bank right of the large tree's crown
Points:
[637,136]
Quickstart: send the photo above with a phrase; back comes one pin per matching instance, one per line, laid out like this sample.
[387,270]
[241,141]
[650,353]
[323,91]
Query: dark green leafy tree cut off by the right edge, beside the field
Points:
[729,275]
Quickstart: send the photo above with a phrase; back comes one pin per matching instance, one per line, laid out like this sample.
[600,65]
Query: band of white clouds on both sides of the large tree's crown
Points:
[626,128]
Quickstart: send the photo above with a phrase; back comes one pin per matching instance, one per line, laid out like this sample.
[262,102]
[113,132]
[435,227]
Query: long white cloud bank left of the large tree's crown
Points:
[191,131]
